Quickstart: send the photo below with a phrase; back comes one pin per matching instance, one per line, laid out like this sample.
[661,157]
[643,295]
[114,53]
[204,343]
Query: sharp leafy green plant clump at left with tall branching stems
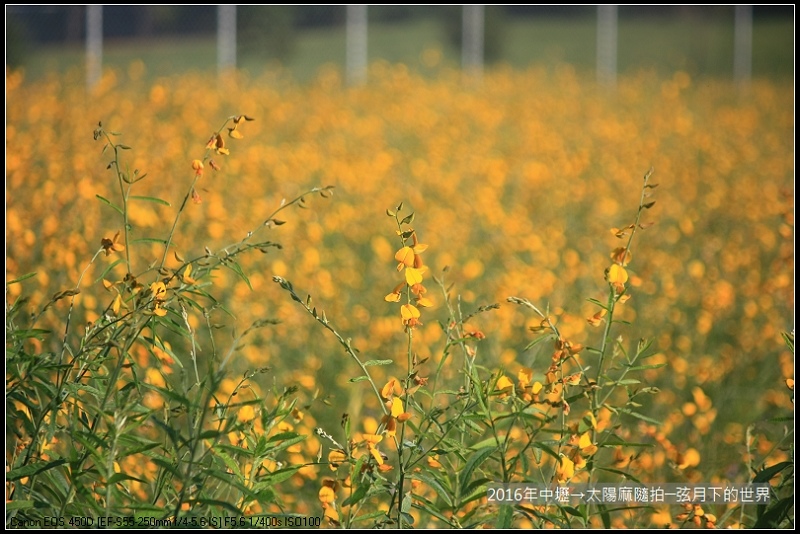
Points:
[121,418]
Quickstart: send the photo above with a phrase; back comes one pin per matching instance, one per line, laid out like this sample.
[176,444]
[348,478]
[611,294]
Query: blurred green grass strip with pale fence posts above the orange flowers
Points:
[700,40]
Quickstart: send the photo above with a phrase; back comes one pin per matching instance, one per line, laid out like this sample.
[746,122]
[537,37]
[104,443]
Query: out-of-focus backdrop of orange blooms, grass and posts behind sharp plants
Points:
[525,172]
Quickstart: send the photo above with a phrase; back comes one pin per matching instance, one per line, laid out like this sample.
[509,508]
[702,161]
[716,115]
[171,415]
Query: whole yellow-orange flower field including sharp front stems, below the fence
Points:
[521,186]
